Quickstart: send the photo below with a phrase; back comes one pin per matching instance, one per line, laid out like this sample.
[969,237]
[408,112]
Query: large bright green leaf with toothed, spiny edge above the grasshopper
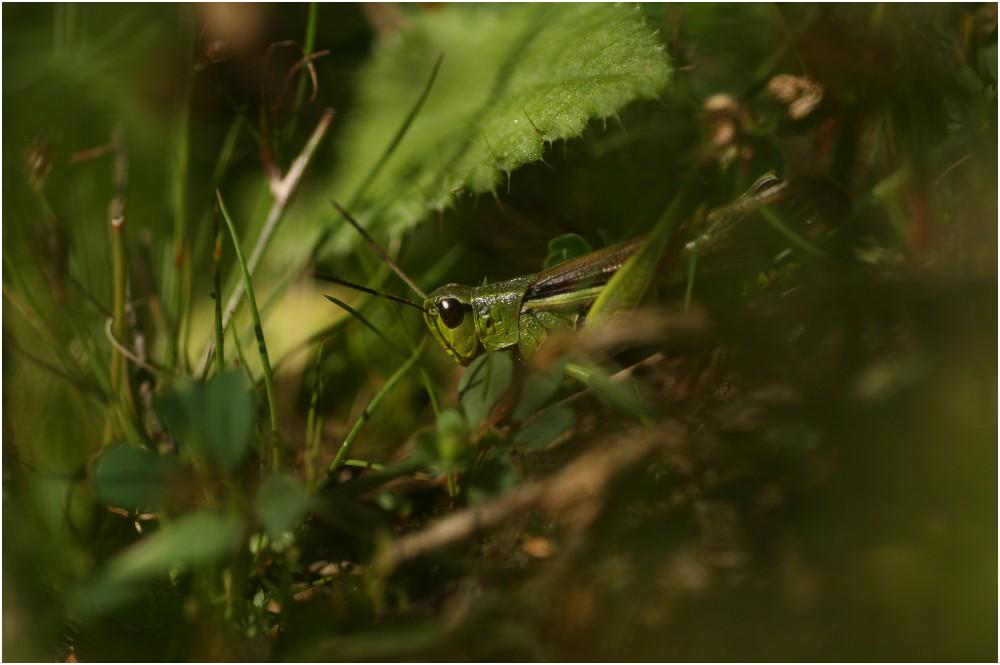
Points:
[513,80]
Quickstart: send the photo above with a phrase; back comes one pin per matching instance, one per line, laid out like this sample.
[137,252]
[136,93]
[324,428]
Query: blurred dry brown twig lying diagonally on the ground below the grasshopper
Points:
[578,488]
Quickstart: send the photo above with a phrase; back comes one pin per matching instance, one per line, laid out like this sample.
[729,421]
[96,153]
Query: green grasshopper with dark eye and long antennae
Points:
[520,313]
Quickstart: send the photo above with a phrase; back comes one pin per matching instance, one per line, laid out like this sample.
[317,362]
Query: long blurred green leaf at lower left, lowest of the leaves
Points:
[194,540]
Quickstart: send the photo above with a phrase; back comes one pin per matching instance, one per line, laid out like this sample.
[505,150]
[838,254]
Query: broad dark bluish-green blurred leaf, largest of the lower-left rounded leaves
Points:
[211,420]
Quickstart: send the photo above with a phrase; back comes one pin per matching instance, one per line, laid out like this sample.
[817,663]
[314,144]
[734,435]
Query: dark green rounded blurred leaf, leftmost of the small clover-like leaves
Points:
[133,478]
